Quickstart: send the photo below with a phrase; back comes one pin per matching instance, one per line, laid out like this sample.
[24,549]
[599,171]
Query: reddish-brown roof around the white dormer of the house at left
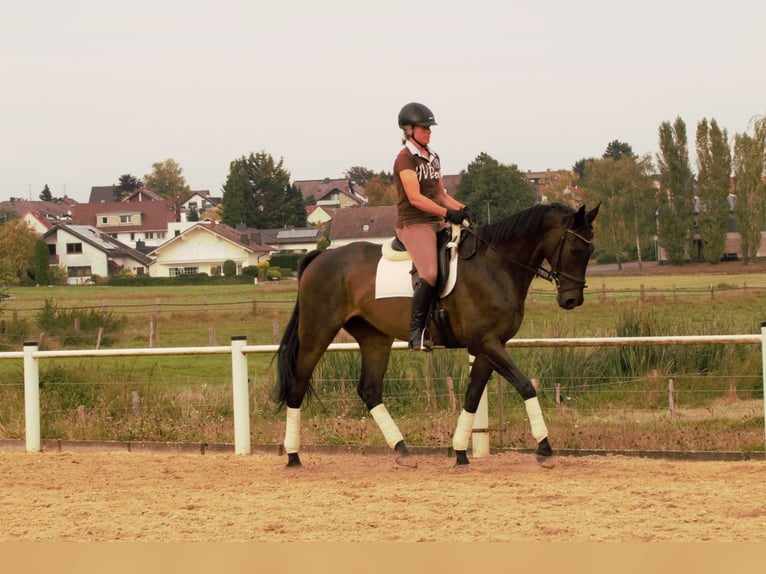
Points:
[155,215]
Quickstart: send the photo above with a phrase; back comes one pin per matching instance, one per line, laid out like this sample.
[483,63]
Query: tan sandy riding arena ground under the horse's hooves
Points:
[72,496]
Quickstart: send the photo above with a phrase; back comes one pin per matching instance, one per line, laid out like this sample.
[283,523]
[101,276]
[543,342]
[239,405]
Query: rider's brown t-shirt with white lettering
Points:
[429,175]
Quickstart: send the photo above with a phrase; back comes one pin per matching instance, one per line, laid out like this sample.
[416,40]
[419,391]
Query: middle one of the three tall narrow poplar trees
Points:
[713,176]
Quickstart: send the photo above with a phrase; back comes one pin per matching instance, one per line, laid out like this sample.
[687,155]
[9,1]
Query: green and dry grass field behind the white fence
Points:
[611,398]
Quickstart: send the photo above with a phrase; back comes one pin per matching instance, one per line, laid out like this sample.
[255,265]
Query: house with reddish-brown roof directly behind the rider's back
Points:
[374,224]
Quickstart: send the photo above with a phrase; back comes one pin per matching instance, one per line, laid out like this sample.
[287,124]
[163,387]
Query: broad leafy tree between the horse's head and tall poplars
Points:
[626,219]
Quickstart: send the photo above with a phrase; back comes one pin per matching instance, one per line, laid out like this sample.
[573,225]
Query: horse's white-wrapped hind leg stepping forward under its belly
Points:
[375,347]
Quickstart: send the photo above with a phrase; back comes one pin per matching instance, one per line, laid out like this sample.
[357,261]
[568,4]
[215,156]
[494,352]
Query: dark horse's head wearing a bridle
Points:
[569,256]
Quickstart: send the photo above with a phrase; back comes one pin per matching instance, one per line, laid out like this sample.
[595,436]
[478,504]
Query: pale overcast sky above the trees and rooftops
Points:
[93,89]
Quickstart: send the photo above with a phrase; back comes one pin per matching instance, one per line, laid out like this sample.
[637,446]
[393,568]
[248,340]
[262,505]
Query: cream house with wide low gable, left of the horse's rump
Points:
[203,248]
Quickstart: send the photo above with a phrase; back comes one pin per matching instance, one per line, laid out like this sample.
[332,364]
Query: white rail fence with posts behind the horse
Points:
[239,351]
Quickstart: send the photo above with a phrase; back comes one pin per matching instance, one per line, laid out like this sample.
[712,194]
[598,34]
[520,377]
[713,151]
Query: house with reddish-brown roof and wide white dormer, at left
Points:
[138,222]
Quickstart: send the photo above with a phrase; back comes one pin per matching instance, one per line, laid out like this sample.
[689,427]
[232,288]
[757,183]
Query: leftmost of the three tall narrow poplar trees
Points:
[675,211]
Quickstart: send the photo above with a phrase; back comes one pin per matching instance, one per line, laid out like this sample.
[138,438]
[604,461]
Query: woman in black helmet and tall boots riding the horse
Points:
[422,207]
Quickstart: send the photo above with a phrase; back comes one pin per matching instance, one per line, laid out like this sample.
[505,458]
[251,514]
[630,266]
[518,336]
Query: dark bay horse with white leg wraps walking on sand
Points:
[336,289]
